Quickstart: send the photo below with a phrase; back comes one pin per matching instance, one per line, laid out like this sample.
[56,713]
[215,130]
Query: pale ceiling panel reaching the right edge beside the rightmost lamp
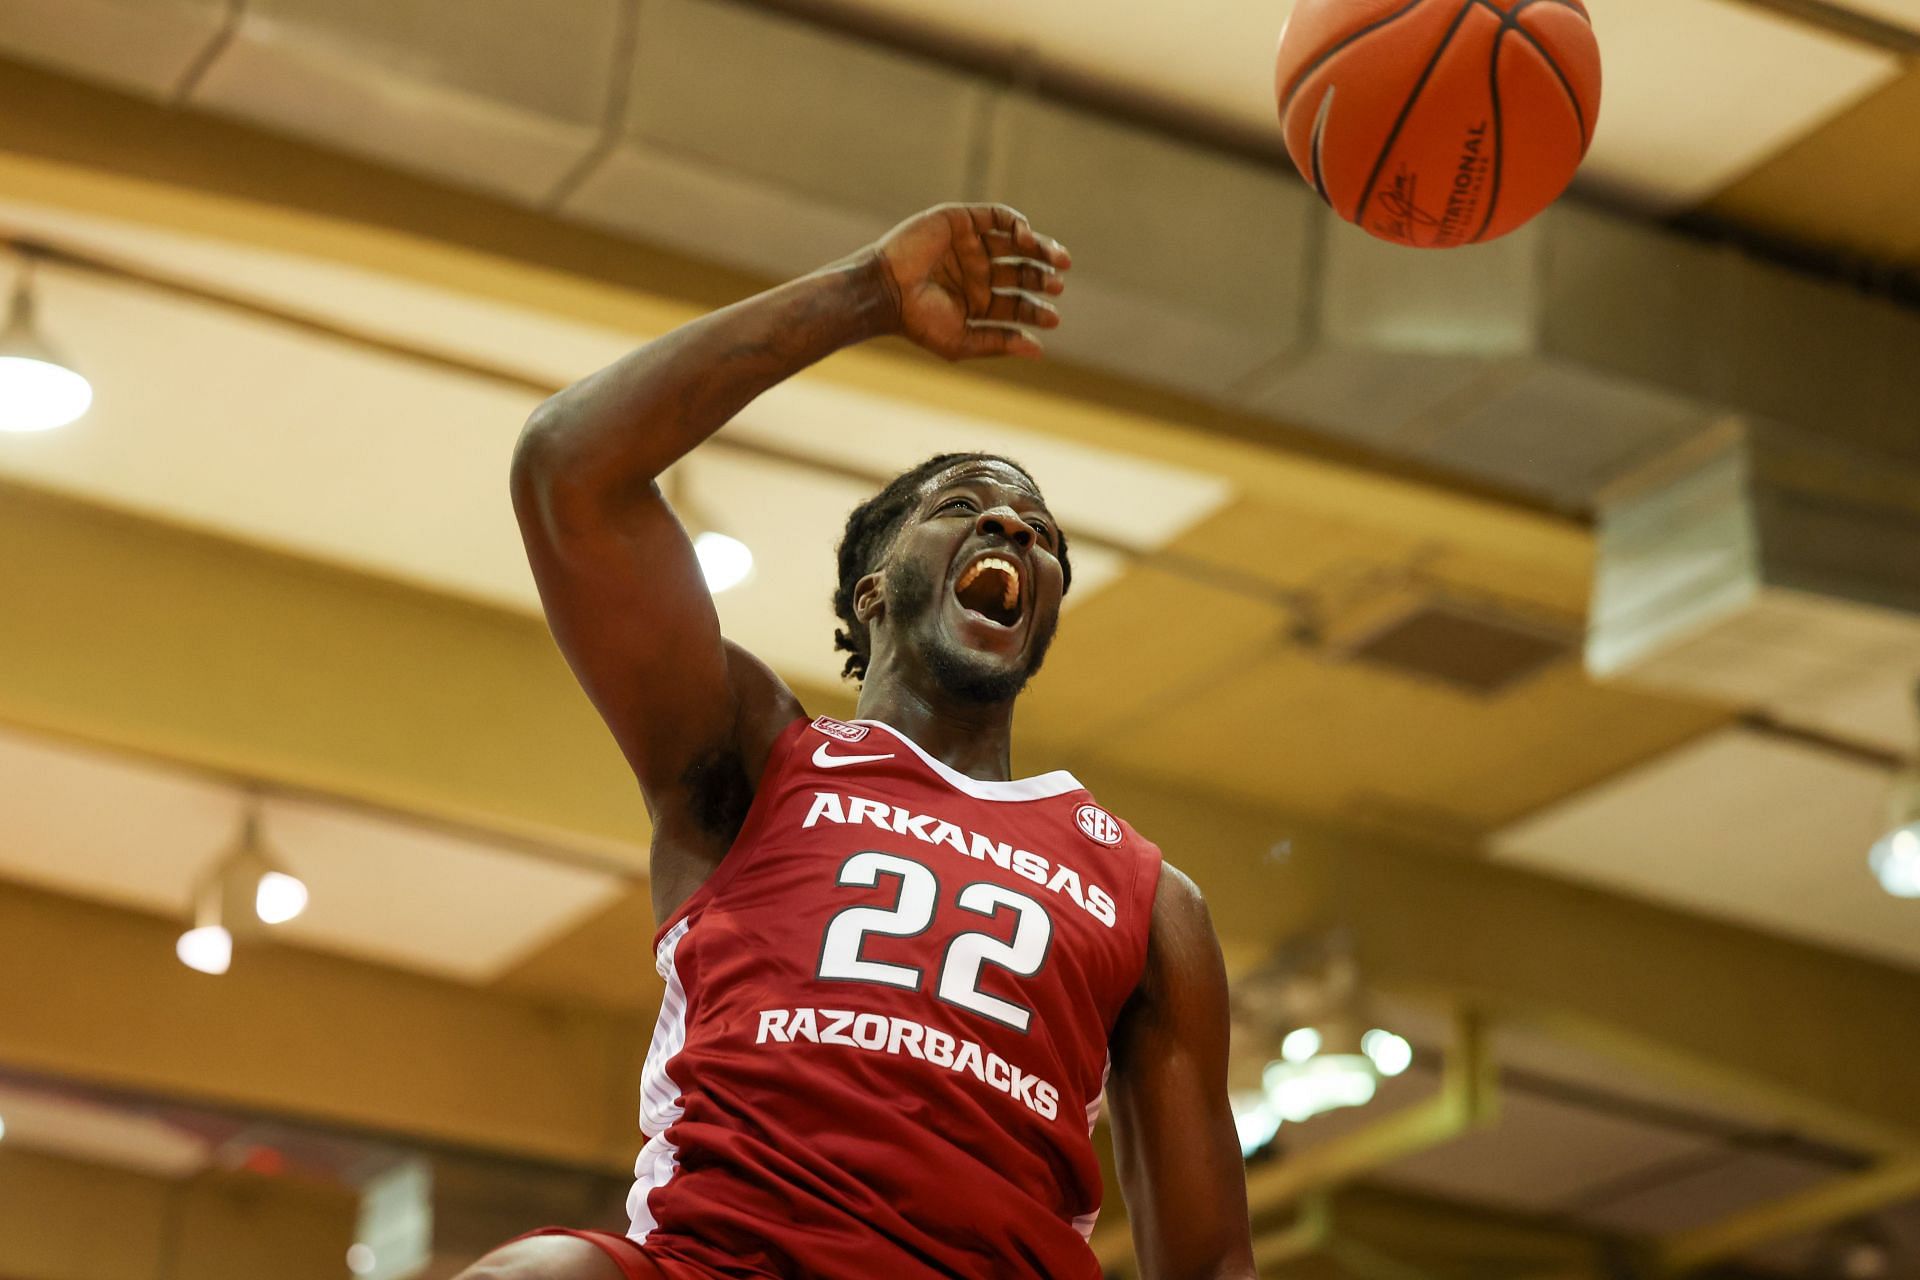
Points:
[1740,826]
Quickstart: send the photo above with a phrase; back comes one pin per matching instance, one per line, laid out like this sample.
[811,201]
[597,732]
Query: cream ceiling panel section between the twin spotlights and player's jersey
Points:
[423,899]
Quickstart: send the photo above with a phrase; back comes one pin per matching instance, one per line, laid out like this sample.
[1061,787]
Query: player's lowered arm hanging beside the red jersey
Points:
[1174,1139]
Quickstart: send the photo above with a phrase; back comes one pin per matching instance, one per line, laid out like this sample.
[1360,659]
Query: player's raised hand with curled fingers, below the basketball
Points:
[974,281]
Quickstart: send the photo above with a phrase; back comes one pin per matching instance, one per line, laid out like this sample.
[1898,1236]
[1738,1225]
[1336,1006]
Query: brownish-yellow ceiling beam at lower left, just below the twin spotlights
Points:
[95,995]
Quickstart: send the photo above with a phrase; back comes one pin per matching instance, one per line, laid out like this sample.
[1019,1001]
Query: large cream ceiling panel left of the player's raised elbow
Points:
[283,439]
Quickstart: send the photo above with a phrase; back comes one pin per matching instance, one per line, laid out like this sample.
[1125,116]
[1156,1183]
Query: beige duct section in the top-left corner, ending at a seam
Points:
[139,45]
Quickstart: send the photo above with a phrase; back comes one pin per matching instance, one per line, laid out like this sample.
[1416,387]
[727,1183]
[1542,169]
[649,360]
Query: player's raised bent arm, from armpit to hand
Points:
[617,575]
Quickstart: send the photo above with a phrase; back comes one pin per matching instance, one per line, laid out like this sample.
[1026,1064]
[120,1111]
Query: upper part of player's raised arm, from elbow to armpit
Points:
[631,611]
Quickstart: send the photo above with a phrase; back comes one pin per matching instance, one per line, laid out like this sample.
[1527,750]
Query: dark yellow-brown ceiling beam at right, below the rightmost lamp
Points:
[1813,1037]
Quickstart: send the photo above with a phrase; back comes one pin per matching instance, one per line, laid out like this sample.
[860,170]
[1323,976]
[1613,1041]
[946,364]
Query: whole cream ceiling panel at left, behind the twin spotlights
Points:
[387,889]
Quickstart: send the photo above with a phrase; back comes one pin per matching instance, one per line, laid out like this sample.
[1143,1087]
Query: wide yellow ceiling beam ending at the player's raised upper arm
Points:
[181,646]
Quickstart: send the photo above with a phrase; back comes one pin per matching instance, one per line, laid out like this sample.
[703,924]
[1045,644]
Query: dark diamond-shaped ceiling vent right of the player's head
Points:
[1466,646]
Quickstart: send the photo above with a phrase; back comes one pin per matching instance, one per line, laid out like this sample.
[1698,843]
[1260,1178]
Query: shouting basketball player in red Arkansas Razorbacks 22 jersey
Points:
[896,978]
